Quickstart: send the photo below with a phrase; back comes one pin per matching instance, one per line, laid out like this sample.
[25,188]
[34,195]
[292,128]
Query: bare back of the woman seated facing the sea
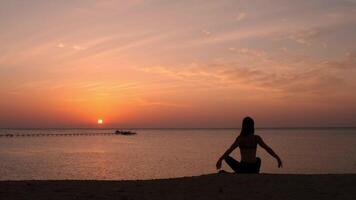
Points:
[248,148]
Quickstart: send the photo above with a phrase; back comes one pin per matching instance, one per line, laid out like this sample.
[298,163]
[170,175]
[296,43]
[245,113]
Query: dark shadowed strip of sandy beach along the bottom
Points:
[212,186]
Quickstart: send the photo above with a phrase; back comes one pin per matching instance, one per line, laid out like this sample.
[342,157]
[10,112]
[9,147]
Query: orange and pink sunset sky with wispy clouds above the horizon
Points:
[177,64]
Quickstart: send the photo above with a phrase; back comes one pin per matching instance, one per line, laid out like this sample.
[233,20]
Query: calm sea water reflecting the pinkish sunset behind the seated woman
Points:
[167,153]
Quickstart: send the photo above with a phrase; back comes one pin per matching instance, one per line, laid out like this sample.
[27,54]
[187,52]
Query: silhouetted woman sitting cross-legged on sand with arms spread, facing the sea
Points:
[247,142]
